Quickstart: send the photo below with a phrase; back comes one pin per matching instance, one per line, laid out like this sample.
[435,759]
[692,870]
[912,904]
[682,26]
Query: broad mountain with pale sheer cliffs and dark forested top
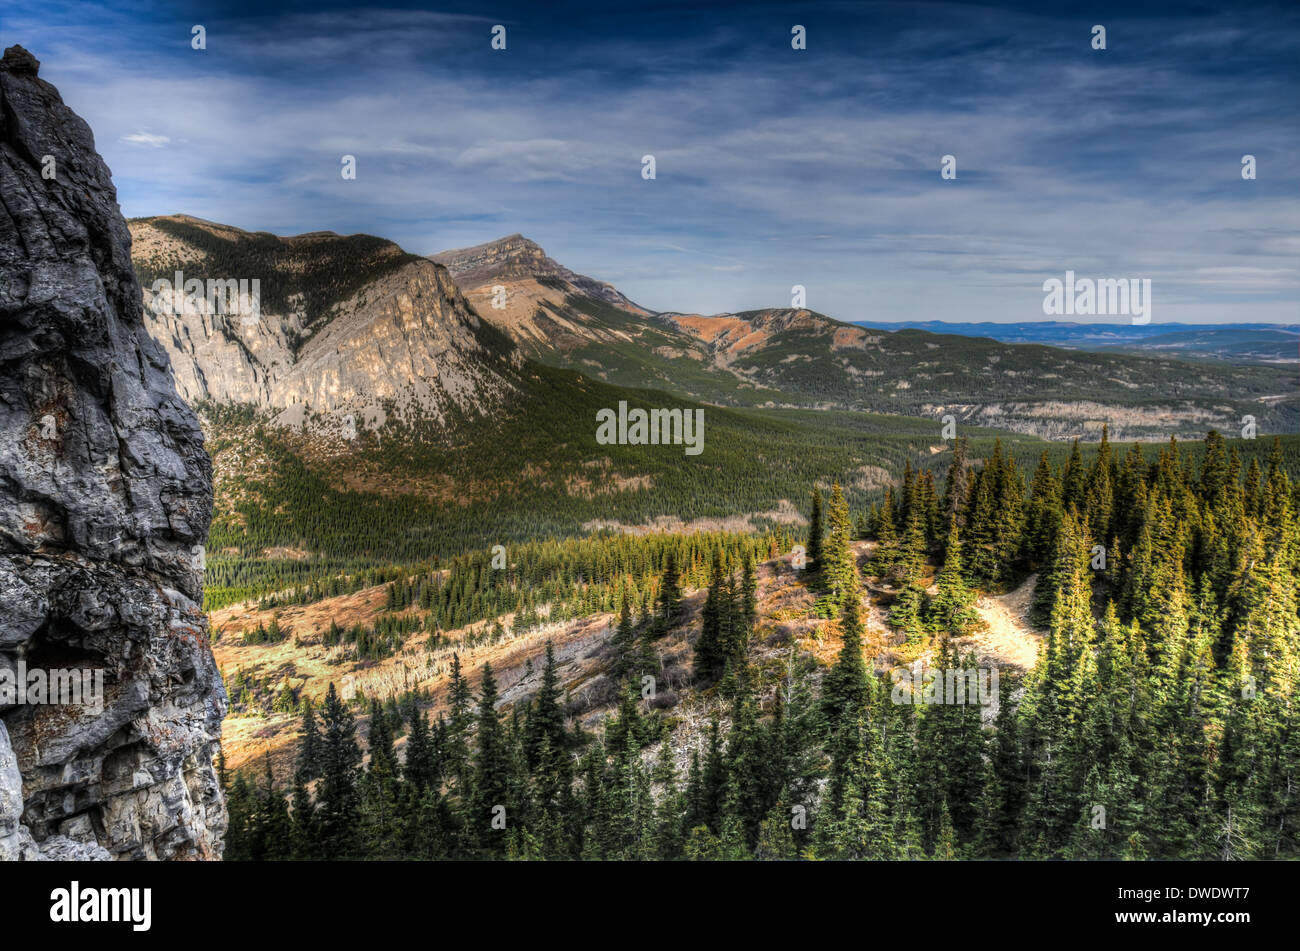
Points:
[345,327]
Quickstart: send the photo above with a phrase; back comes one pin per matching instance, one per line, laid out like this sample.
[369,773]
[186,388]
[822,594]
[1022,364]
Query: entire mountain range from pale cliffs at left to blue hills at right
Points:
[356,325]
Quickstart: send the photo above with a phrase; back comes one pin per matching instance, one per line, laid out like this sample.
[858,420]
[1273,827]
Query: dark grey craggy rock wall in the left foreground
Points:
[106,497]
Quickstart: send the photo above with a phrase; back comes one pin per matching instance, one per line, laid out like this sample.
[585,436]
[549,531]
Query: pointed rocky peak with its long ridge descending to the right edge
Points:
[801,359]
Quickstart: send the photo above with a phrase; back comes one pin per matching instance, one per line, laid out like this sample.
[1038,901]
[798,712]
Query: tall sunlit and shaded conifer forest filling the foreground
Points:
[1160,720]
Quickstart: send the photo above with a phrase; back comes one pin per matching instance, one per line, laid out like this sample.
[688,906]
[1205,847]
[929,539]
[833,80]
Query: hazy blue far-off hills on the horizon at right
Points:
[1259,344]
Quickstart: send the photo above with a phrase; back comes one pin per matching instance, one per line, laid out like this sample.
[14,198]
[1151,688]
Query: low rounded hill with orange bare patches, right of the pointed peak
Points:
[1047,392]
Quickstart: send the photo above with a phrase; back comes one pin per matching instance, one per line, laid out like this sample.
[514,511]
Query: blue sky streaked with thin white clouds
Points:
[774,167]
